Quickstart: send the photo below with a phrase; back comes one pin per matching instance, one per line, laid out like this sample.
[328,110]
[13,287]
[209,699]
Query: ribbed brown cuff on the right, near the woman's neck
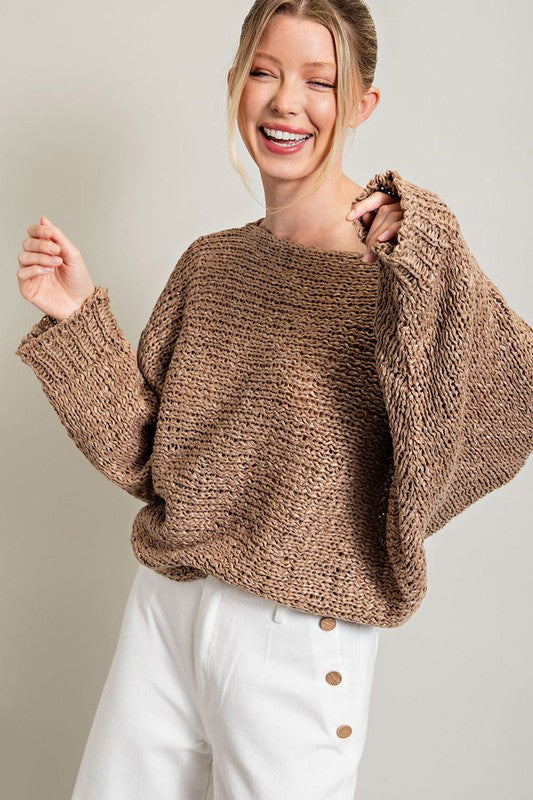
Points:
[427,231]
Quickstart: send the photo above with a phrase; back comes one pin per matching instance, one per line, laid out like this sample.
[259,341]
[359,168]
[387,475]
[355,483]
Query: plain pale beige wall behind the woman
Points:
[114,126]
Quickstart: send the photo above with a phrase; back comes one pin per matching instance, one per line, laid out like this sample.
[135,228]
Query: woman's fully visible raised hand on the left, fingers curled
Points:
[52,274]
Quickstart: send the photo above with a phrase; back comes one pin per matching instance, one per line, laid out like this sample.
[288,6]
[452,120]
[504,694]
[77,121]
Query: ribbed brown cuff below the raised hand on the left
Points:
[55,350]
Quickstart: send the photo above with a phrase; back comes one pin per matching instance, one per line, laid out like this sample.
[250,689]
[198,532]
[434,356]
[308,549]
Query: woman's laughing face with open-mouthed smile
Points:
[291,86]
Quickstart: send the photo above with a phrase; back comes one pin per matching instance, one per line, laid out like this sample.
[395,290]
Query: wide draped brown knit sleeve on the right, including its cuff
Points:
[455,364]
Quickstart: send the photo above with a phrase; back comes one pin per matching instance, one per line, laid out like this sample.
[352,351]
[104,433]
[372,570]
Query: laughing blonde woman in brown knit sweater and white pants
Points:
[305,407]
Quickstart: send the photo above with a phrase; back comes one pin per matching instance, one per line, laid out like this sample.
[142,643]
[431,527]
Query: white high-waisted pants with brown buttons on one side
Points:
[216,692]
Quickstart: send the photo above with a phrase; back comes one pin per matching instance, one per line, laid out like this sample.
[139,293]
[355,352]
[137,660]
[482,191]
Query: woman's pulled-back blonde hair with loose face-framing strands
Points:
[354,34]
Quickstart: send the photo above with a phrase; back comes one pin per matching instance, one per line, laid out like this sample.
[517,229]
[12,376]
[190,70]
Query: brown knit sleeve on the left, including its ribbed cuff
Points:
[107,395]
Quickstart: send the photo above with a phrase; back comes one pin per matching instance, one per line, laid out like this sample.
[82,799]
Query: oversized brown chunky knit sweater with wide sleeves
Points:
[297,422]
